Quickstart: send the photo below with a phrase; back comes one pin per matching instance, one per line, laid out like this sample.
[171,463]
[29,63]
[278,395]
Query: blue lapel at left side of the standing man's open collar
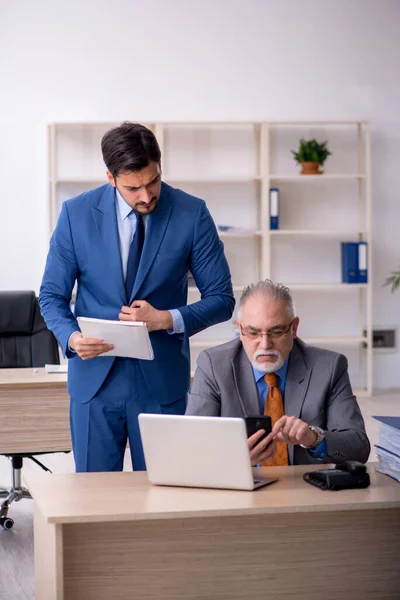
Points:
[106,224]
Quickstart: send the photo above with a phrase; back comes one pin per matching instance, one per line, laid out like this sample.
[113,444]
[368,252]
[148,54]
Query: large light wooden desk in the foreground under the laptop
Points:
[114,536]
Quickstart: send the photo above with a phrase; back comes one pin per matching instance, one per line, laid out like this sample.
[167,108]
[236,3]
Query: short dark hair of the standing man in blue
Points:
[129,147]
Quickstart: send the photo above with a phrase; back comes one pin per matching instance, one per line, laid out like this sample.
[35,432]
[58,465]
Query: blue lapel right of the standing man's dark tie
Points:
[156,227]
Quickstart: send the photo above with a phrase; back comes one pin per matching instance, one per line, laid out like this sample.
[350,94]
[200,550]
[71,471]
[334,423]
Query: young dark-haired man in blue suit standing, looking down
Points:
[129,246]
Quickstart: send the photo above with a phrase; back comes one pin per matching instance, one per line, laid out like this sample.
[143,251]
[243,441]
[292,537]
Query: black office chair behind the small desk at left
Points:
[25,341]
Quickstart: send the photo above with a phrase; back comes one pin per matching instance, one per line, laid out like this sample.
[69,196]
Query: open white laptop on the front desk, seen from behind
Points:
[207,452]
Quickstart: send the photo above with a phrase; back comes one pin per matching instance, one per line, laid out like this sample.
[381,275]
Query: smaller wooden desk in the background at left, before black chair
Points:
[34,409]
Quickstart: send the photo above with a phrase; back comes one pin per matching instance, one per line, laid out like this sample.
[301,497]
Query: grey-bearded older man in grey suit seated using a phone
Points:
[268,370]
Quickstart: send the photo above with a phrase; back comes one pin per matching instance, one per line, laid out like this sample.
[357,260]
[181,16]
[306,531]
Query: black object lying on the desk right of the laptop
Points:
[346,475]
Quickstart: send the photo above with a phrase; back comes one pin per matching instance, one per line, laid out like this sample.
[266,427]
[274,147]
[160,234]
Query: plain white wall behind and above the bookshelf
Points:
[99,60]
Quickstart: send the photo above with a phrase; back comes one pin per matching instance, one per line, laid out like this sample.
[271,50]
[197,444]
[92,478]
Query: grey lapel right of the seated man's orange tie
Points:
[297,380]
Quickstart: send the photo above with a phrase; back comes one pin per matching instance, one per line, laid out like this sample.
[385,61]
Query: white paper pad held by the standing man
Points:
[129,338]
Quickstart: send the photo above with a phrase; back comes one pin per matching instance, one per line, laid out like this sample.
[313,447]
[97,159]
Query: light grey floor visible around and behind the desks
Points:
[16,545]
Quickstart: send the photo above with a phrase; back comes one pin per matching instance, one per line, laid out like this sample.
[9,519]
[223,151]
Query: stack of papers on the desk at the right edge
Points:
[388,447]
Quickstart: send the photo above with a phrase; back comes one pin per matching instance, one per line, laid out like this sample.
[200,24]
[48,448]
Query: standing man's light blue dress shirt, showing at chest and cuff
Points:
[127,221]
